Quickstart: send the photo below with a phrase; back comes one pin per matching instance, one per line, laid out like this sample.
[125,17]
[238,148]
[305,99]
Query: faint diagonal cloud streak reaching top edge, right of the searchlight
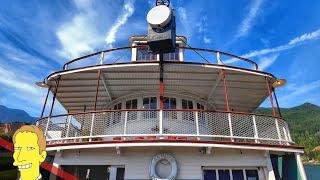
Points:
[248,21]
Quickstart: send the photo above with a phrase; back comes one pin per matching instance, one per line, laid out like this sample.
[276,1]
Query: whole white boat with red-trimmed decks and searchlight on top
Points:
[160,109]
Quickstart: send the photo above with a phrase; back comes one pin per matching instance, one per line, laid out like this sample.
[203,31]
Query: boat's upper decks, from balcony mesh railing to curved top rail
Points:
[125,94]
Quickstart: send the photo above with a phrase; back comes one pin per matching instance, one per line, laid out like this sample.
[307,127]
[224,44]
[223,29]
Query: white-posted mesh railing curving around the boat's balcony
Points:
[162,124]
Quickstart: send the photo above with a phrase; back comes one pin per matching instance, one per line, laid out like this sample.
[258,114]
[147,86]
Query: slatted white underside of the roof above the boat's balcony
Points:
[77,88]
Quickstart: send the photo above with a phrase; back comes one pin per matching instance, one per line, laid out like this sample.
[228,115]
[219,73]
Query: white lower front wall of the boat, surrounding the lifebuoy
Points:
[191,161]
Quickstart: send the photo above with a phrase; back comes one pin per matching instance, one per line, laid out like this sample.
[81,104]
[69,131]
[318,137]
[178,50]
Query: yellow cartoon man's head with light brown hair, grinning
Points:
[29,151]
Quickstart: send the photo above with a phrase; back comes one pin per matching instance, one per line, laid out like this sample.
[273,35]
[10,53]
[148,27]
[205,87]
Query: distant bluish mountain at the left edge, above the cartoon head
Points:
[8,115]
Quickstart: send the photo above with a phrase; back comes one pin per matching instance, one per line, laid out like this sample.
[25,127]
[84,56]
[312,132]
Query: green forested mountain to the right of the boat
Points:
[304,124]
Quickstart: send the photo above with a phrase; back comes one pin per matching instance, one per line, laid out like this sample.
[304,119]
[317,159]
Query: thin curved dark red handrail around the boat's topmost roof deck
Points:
[139,46]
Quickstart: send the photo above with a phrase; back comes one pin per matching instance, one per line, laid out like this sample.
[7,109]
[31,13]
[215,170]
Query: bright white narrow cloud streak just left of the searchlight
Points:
[127,12]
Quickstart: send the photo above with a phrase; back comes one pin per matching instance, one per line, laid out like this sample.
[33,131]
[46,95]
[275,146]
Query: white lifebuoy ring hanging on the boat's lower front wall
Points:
[170,159]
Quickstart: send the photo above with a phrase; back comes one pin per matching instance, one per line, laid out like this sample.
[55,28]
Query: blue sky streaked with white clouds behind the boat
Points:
[38,37]
